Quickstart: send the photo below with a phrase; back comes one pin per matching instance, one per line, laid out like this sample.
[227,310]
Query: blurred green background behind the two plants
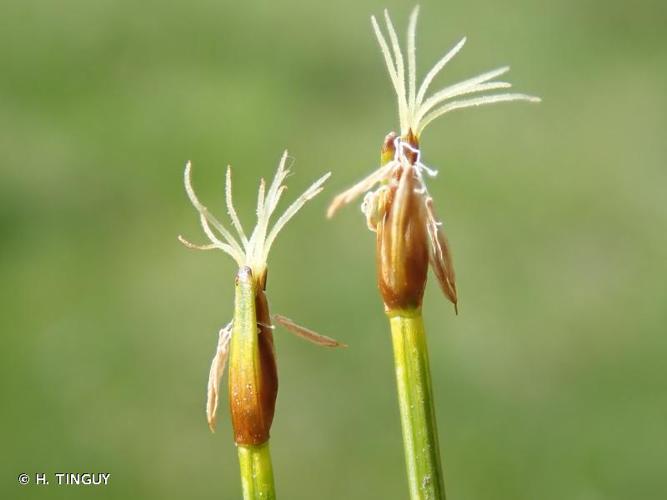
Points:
[550,384]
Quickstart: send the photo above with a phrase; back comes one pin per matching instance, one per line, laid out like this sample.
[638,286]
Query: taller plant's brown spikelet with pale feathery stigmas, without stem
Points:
[400,211]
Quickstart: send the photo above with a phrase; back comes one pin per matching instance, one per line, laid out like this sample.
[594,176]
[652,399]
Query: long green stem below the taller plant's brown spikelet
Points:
[415,397]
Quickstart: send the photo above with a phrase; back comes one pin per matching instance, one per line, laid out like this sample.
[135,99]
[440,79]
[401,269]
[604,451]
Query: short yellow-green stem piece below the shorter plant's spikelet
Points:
[256,472]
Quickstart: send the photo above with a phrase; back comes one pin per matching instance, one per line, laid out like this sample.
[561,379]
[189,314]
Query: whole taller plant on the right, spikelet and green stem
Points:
[410,236]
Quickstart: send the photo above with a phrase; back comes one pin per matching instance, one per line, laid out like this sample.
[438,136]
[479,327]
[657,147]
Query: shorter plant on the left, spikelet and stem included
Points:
[248,338]
